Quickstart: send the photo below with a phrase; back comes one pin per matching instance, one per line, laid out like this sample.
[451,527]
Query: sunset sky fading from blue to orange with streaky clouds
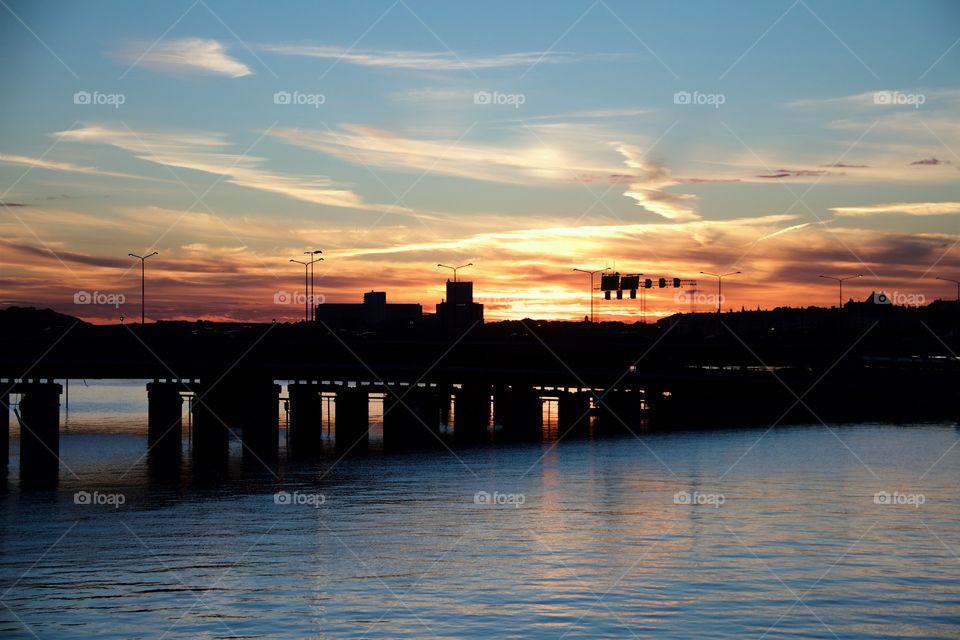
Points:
[782,139]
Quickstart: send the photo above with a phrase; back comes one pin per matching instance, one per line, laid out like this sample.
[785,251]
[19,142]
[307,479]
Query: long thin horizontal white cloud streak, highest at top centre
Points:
[422,60]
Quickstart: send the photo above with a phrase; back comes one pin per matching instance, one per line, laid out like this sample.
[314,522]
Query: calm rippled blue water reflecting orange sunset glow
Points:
[584,539]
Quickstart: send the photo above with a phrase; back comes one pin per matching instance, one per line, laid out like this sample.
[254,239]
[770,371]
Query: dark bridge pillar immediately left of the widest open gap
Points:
[40,432]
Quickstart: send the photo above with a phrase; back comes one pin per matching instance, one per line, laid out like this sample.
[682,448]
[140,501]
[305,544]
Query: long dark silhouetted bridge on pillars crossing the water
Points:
[601,378]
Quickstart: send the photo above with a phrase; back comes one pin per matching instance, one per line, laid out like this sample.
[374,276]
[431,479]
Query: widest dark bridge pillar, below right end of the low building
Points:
[411,416]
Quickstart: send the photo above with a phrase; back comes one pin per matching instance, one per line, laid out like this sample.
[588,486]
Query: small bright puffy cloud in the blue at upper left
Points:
[184,55]
